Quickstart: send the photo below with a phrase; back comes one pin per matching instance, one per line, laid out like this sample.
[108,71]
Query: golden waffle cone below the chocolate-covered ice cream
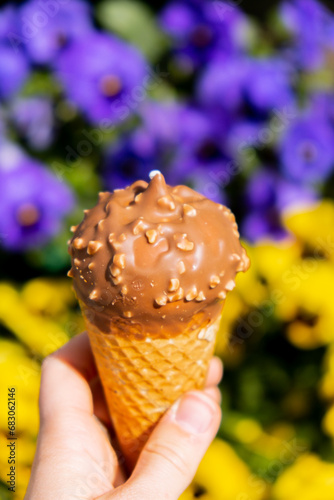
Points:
[142,378]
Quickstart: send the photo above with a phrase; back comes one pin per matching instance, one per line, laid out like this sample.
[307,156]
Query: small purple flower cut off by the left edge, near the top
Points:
[14,71]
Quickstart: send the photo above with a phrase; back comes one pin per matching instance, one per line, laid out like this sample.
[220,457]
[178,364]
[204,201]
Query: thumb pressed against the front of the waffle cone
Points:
[173,452]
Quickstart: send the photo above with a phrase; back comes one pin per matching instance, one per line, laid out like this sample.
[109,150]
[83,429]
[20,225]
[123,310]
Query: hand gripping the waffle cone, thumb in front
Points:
[75,458]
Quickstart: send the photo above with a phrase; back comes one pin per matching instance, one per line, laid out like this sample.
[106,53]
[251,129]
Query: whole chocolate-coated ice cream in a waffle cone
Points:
[151,267]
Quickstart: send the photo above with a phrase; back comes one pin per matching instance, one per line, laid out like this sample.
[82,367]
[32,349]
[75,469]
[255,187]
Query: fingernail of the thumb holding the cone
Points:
[194,413]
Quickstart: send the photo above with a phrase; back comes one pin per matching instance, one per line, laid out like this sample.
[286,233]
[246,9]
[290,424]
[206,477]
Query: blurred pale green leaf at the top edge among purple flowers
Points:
[135,22]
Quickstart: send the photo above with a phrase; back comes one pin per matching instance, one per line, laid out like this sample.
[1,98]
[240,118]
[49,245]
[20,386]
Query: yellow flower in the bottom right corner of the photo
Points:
[309,478]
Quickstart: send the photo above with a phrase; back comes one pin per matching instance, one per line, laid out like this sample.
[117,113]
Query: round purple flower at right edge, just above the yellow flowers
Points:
[306,149]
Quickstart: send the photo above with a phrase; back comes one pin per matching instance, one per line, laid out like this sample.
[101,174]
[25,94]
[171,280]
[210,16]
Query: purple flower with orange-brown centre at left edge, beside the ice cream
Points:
[33,202]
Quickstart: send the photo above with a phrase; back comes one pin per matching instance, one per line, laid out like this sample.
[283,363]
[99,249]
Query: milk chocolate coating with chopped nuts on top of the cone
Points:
[155,259]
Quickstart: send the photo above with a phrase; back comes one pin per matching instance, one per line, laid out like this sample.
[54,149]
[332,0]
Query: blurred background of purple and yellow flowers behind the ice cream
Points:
[233,98]
